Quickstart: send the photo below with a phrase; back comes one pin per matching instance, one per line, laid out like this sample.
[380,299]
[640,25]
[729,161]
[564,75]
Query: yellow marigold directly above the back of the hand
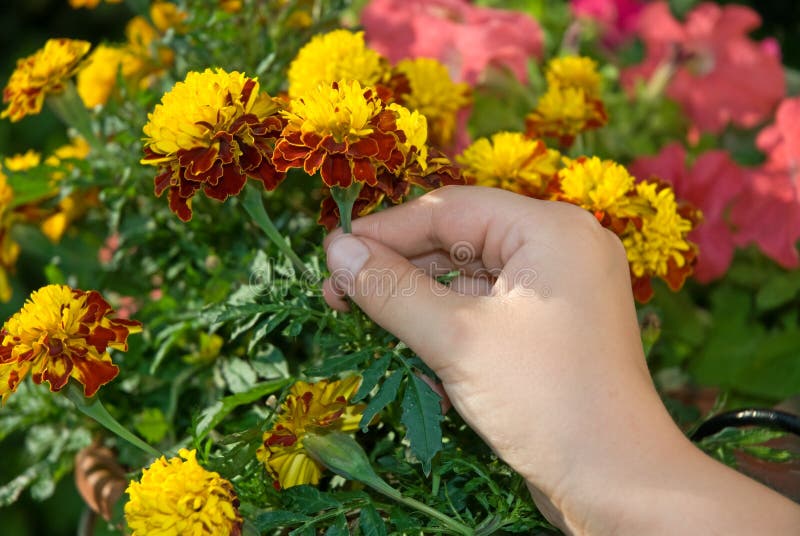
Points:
[510,161]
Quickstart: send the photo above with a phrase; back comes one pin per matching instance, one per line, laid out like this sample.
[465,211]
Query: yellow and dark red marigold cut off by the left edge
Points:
[60,333]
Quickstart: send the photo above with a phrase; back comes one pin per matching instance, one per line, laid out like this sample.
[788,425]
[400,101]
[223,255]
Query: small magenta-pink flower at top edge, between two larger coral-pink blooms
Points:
[617,19]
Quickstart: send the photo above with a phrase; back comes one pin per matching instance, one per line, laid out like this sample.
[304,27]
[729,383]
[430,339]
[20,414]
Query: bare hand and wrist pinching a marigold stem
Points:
[536,344]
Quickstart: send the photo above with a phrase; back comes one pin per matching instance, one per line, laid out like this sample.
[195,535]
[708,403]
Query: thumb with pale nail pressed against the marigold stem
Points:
[397,295]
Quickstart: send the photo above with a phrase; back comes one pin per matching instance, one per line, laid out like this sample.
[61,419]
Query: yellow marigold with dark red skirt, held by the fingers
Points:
[344,131]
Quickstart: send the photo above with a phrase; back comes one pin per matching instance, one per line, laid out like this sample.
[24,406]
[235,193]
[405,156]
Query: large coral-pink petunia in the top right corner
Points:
[721,74]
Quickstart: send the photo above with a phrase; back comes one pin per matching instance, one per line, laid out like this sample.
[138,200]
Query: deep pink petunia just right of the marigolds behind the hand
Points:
[710,184]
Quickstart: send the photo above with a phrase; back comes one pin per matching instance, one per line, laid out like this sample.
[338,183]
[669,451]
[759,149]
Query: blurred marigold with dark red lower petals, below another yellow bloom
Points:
[563,113]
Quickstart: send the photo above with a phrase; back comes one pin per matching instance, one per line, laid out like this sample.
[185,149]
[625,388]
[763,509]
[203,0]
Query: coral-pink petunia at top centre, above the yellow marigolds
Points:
[466,38]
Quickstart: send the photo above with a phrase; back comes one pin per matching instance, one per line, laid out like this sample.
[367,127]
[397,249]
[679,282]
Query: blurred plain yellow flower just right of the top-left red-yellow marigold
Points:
[97,79]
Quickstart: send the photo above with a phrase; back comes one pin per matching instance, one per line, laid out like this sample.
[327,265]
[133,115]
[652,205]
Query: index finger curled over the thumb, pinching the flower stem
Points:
[469,222]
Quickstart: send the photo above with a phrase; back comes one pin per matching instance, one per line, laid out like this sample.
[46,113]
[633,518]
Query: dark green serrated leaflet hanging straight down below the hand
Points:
[422,415]
